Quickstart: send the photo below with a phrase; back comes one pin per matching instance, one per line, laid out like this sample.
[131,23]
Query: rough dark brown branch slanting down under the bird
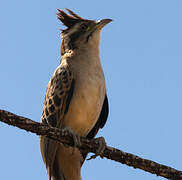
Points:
[90,146]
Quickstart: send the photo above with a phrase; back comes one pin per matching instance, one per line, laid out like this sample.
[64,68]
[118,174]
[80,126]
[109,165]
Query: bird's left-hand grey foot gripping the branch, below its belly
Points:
[76,138]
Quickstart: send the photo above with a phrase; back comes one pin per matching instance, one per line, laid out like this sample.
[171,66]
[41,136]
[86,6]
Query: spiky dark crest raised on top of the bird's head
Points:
[69,20]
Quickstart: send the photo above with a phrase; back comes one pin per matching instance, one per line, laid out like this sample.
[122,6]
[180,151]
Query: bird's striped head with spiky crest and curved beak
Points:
[80,33]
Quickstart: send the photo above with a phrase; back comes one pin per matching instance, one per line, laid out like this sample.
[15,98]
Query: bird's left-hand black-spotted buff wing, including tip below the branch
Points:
[57,100]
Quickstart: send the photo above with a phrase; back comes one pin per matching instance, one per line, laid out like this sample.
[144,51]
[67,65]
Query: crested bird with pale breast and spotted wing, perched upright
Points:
[76,97]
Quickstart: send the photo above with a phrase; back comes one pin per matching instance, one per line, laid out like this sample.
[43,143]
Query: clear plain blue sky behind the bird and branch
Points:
[141,52]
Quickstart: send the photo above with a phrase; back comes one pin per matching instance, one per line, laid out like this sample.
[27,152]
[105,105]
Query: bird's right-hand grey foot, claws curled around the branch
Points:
[102,145]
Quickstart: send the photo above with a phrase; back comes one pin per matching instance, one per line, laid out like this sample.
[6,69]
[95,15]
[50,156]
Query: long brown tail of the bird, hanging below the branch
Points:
[62,162]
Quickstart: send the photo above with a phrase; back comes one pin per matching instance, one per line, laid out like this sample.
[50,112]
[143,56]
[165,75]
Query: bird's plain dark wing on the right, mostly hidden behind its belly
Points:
[100,123]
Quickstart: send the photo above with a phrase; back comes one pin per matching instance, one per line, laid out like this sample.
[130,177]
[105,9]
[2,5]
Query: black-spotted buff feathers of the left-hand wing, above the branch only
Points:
[58,90]
